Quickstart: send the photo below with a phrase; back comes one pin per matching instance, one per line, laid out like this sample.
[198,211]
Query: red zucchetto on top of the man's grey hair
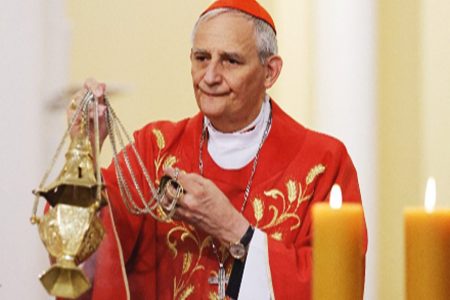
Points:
[250,7]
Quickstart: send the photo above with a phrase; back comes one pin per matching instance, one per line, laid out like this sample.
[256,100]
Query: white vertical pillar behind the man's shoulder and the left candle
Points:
[345,97]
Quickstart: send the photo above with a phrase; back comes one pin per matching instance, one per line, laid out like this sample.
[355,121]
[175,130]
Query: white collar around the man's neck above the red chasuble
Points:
[235,150]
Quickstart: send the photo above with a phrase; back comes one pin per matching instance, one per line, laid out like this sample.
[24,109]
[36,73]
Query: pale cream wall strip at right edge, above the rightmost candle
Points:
[435,97]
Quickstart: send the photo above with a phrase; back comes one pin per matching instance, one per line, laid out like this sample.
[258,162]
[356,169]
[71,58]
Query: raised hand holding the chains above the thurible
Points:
[98,89]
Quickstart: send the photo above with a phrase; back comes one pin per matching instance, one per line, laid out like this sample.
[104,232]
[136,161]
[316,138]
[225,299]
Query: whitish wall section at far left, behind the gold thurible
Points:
[30,68]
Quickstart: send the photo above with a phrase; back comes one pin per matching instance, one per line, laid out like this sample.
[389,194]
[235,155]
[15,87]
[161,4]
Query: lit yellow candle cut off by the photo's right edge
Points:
[427,242]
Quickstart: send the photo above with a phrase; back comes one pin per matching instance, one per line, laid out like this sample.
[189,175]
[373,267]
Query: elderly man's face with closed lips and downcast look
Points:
[227,74]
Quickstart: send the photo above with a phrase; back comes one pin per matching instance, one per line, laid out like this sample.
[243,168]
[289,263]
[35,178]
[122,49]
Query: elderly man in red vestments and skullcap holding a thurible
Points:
[242,227]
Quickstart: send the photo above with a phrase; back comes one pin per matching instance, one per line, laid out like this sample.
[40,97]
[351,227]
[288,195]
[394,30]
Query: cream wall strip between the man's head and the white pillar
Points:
[294,87]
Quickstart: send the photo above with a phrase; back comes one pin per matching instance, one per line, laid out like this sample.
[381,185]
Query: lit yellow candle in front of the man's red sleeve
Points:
[338,254]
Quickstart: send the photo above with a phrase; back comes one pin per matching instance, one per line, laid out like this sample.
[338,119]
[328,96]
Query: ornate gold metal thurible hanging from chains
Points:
[71,230]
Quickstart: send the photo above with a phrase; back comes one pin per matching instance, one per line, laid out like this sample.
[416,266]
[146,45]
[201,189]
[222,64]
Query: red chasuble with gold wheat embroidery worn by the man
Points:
[143,259]
